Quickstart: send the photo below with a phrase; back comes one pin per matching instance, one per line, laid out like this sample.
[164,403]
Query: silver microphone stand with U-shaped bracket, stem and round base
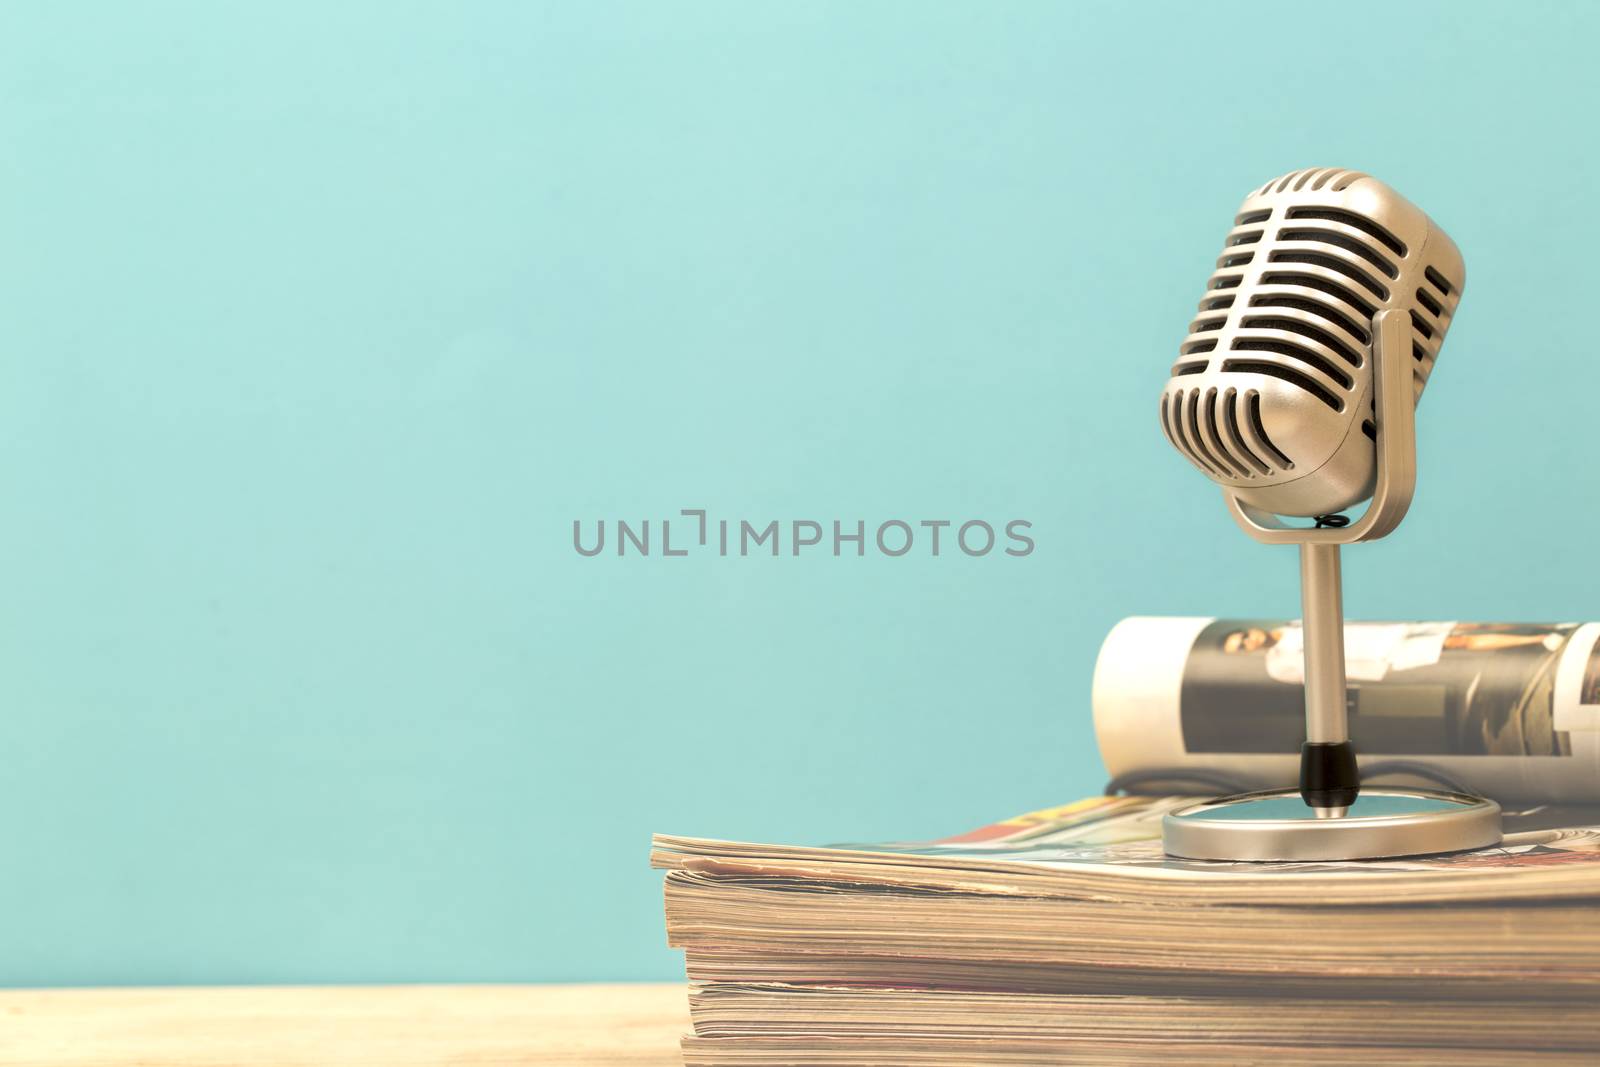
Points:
[1330,817]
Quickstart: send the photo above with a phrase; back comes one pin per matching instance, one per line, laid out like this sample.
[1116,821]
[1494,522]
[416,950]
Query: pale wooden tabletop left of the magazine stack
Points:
[398,1026]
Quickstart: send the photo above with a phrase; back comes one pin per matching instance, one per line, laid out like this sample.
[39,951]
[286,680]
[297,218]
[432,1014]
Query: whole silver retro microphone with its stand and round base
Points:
[1295,391]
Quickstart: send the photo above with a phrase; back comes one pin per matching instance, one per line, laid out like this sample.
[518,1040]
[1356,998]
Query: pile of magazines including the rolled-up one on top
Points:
[1068,935]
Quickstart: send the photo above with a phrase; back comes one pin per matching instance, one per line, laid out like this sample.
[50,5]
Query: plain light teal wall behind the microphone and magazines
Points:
[321,324]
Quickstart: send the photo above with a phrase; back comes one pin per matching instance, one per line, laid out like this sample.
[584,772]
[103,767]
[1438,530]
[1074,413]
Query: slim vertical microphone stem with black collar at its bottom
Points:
[1329,777]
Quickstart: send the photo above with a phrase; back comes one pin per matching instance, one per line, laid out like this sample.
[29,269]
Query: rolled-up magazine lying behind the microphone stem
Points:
[1506,709]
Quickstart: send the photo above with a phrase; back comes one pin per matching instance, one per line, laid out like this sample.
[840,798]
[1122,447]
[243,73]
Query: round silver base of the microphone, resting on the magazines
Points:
[1382,825]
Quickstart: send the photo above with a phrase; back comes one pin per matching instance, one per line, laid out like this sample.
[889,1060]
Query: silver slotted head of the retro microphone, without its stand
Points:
[1273,390]
